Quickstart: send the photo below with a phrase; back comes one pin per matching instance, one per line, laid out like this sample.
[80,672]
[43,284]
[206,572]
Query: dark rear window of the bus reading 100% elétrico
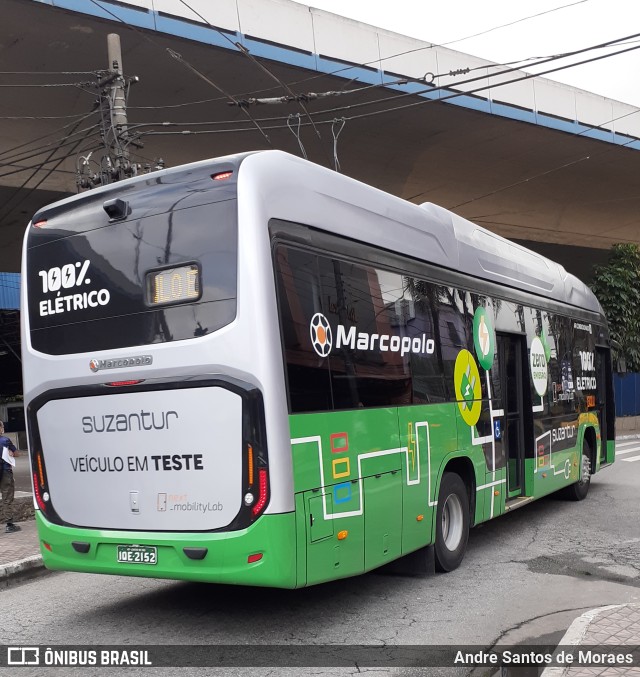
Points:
[160,275]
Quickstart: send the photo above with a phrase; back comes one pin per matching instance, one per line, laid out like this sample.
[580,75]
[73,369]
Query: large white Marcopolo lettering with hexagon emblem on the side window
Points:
[322,339]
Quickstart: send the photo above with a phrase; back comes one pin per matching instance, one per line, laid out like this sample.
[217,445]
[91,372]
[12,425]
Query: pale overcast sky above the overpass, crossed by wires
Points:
[576,25]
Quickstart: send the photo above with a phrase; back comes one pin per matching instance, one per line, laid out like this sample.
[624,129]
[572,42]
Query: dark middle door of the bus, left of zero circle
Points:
[511,349]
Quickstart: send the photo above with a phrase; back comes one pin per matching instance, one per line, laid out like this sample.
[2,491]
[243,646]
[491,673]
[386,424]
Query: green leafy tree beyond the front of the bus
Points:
[617,286]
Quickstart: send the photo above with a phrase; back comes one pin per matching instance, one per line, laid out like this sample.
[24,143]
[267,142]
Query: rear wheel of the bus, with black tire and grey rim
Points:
[452,522]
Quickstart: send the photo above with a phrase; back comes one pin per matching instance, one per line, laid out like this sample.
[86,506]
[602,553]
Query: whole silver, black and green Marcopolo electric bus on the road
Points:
[254,370]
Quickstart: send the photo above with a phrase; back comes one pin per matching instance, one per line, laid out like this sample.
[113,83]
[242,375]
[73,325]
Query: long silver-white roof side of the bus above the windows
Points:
[300,191]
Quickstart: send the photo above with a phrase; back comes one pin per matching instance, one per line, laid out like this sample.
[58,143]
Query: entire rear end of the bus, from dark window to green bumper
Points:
[146,414]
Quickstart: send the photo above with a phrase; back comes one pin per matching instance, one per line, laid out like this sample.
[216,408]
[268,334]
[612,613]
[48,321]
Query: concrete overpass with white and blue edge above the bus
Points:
[551,166]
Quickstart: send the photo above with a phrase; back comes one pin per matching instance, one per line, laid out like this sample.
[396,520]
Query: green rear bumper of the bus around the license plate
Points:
[225,561]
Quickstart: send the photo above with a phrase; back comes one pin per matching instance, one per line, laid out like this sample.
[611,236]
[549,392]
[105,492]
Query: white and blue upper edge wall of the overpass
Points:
[324,37]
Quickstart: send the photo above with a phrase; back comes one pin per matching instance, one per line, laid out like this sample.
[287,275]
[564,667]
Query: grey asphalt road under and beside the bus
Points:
[526,577]
